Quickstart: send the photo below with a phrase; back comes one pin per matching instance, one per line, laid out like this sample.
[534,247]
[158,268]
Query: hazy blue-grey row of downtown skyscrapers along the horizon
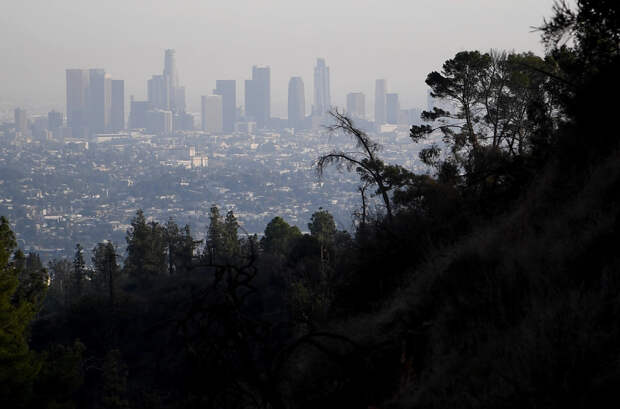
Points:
[95,104]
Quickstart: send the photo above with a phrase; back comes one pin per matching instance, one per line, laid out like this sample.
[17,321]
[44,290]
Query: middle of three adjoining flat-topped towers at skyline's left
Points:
[99,100]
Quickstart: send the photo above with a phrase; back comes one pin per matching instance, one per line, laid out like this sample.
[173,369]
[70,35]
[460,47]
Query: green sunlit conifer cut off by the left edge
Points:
[19,365]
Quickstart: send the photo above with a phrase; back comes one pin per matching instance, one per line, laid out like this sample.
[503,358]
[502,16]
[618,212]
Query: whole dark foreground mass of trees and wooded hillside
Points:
[487,281]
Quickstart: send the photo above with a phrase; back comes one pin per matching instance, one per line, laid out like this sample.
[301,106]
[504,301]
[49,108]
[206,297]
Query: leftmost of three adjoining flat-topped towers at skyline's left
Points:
[77,100]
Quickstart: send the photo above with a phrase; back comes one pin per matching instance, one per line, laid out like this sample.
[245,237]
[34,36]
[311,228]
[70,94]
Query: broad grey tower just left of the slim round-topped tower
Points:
[258,96]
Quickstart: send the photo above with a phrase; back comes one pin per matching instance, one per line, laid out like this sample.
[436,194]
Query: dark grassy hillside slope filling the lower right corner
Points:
[524,313]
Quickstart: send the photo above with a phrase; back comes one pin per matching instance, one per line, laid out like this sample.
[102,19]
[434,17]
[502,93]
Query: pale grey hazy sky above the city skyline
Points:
[361,40]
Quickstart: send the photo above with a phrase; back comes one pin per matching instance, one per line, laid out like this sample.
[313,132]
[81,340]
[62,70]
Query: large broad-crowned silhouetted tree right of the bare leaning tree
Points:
[498,101]
